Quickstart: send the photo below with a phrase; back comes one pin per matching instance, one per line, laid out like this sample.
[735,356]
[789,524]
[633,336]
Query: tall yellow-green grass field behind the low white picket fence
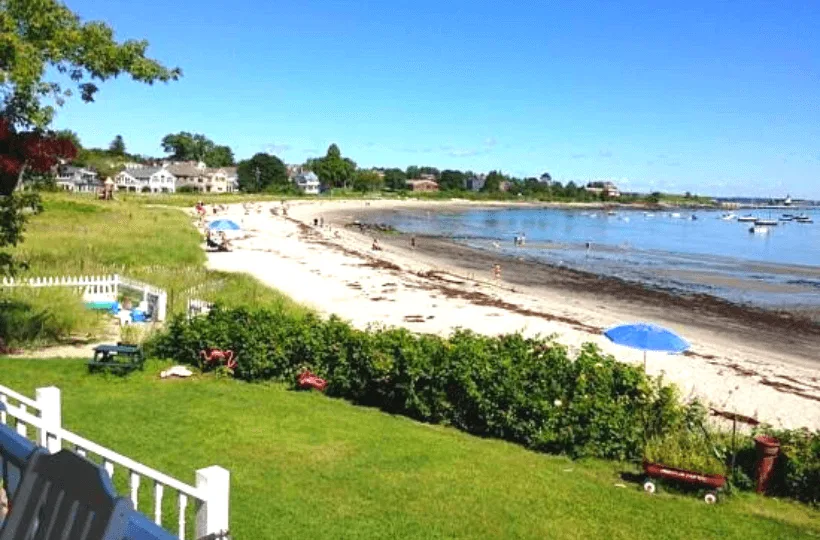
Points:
[78,236]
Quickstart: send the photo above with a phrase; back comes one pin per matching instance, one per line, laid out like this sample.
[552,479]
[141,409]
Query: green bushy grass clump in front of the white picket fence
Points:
[39,316]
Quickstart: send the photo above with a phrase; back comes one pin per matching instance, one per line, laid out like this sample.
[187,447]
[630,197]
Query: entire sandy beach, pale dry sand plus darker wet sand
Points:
[757,363]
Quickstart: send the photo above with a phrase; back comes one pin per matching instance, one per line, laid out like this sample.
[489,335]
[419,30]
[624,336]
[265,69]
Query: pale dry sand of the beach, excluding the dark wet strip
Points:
[334,270]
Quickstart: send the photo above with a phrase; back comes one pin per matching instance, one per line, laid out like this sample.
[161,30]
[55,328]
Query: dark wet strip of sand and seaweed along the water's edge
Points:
[750,323]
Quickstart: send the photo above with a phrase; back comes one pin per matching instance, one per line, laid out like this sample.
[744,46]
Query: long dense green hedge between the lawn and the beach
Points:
[524,390]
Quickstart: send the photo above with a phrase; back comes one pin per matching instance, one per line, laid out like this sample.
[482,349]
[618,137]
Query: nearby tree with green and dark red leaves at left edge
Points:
[38,39]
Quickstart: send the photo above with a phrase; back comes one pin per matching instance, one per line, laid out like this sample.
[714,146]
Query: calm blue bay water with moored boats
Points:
[685,251]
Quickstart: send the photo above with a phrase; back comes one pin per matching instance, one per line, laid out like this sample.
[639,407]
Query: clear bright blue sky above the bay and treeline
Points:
[710,97]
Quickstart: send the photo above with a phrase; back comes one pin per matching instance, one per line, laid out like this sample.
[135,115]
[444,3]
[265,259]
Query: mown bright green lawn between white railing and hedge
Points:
[306,466]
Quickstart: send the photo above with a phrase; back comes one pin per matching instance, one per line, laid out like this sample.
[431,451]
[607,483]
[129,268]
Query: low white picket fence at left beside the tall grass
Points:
[99,289]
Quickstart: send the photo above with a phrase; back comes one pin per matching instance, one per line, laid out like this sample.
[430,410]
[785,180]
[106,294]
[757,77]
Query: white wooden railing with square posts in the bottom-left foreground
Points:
[43,415]
